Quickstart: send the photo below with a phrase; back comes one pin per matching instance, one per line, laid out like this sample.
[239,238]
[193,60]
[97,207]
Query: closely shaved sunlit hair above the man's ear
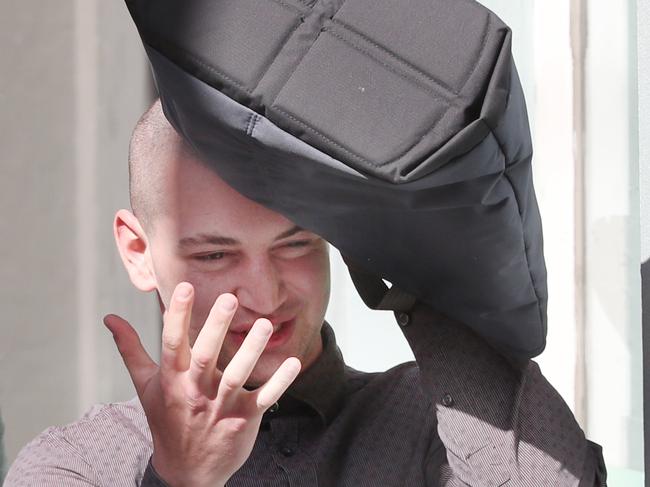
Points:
[154,143]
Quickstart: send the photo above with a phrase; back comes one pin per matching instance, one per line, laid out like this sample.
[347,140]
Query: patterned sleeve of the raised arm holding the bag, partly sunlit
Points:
[501,424]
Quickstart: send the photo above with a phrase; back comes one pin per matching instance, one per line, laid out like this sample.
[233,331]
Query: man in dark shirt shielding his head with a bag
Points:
[252,390]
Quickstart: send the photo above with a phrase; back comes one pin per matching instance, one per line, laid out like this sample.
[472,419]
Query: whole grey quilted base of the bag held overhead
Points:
[378,84]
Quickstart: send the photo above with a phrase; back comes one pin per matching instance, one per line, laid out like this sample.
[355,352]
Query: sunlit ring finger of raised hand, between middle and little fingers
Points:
[242,364]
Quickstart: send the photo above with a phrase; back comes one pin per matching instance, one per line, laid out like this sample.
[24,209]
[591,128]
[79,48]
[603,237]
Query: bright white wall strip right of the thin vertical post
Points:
[614,357]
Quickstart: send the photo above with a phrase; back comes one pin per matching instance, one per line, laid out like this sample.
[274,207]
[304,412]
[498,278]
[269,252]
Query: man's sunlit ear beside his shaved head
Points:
[133,246]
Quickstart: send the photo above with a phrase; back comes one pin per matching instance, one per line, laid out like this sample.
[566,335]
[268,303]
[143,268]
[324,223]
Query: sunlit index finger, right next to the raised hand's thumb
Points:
[175,353]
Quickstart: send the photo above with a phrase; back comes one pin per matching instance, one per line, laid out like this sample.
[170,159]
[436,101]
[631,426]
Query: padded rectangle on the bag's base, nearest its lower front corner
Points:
[362,107]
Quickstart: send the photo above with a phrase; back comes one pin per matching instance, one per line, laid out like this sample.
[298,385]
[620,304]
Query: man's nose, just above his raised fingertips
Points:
[261,289]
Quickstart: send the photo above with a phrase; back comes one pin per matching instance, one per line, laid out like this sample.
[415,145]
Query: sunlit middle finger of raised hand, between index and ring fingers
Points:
[208,344]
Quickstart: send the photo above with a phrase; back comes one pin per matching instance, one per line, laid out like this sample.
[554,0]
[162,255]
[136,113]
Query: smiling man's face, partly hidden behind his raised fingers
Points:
[221,242]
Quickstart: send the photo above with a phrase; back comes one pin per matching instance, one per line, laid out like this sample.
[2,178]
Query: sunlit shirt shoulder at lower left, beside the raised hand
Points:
[109,445]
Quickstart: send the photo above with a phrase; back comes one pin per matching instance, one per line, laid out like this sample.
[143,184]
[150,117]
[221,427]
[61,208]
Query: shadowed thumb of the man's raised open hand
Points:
[138,362]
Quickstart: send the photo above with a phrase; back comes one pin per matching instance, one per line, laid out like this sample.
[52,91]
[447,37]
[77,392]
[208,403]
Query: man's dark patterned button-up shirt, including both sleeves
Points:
[462,415]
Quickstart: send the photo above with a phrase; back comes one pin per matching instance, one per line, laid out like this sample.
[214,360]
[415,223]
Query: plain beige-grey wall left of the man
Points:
[74,82]
